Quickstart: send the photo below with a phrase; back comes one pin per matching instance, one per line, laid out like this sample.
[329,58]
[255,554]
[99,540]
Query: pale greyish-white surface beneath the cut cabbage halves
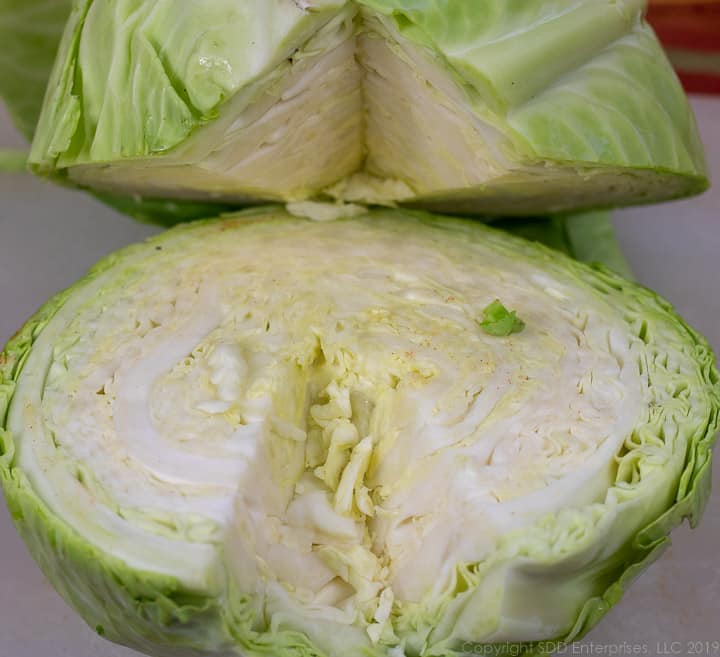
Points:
[50,236]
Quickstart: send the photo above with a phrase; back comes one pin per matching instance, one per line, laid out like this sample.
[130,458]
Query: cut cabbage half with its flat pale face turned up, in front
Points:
[262,435]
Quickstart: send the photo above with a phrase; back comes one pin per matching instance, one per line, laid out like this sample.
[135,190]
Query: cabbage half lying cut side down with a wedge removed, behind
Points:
[480,106]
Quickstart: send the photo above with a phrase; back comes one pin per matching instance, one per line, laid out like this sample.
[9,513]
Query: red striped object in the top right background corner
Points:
[690,32]
